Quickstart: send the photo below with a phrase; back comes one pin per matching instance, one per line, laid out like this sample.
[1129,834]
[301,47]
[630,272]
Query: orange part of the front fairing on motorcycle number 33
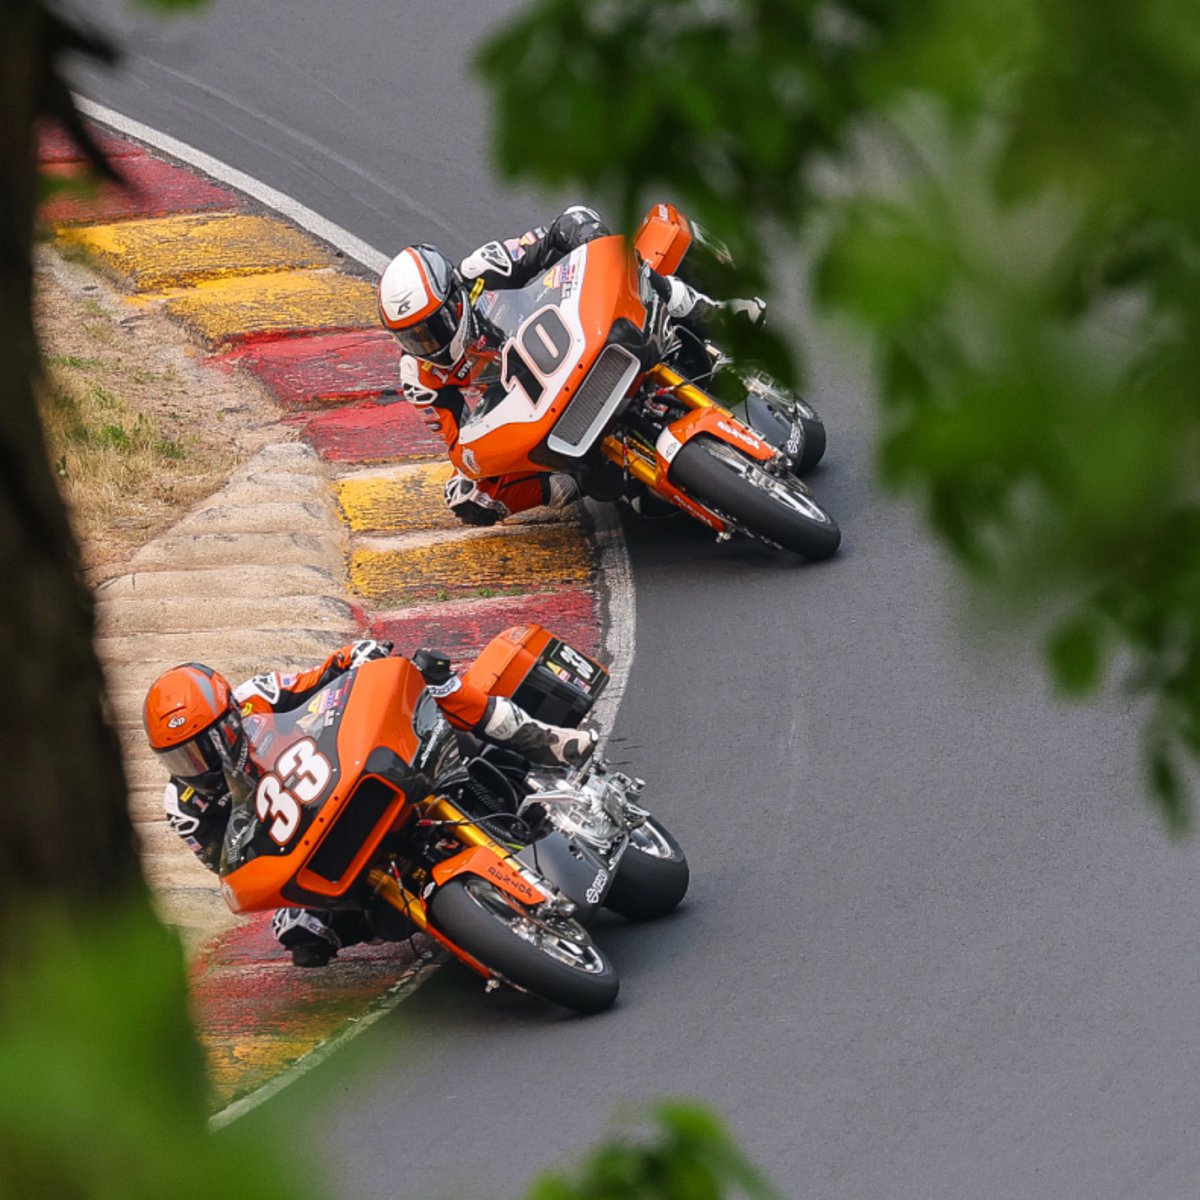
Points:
[379,715]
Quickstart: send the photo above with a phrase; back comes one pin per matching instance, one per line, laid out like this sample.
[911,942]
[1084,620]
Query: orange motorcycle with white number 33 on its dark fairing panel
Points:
[368,799]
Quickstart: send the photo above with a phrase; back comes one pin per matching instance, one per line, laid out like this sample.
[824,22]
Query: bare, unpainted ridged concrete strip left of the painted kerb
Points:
[231,581]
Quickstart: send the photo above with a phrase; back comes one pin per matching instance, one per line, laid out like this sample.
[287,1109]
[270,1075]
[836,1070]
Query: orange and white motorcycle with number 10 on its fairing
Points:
[595,379]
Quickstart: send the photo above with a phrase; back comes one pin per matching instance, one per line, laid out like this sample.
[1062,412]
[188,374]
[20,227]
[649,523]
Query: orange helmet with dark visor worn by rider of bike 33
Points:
[194,725]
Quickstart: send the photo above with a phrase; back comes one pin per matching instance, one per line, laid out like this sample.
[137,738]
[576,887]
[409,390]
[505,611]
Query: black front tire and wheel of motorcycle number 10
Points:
[775,508]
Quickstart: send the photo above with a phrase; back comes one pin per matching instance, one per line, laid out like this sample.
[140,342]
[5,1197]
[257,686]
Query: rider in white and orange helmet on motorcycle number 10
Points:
[428,304]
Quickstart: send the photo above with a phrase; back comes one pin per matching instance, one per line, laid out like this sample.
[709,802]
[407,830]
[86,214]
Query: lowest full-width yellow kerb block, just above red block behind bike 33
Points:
[537,559]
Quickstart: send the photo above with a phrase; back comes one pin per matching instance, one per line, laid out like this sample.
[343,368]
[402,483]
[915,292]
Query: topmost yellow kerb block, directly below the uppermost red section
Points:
[171,253]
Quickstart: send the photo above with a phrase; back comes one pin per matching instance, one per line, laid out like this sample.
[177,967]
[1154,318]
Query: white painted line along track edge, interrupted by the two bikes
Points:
[616,575]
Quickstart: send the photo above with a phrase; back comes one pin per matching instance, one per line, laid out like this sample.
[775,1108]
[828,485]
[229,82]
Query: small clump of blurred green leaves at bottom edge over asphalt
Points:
[691,1157]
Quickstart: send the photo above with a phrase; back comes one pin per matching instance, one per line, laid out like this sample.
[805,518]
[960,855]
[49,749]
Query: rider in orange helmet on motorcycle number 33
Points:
[219,723]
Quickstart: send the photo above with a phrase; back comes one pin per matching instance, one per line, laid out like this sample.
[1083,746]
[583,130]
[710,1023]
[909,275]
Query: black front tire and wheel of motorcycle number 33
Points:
[551,958]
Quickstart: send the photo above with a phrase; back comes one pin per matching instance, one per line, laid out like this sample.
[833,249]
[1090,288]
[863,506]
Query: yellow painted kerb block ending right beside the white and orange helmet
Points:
[223,310]
